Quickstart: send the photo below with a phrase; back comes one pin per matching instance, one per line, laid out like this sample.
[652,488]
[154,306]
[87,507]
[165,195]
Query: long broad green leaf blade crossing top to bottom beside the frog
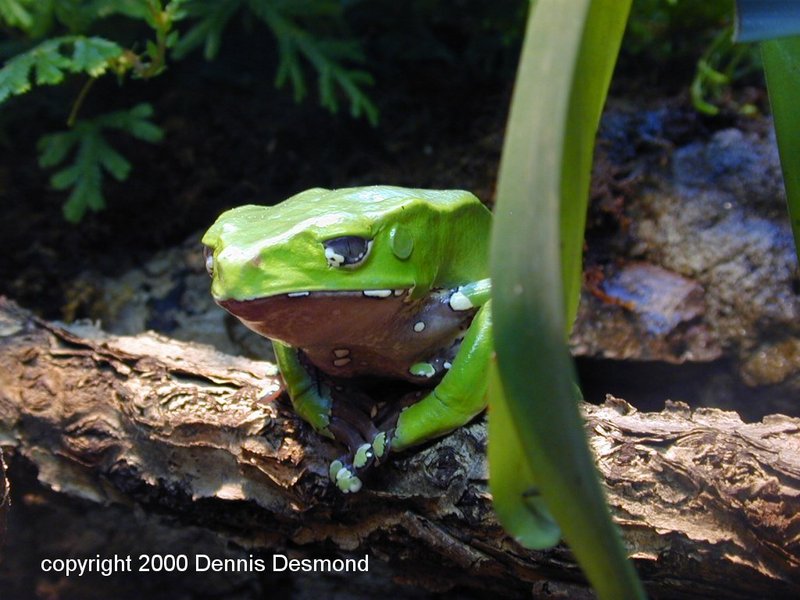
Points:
[567,59]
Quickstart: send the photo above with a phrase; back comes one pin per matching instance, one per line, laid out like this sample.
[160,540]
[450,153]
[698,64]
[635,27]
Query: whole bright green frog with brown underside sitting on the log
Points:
[359,284]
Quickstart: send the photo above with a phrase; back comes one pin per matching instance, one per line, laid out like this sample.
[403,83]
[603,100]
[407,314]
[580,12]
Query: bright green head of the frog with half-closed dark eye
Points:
[377,242]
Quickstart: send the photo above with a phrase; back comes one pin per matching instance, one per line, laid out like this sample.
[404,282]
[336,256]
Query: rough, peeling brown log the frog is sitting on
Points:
[708,505]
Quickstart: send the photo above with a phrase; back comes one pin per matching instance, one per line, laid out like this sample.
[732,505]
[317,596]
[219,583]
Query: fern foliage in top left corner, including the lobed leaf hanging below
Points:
[48,63]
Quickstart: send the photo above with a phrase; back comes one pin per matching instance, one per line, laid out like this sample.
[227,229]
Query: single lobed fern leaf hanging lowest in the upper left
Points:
[93,155]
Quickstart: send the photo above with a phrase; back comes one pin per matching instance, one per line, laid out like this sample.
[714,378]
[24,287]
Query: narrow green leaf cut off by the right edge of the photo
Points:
[782,67]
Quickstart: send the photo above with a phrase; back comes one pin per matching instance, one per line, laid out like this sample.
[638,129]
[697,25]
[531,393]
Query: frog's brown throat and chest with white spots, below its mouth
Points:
[349,334]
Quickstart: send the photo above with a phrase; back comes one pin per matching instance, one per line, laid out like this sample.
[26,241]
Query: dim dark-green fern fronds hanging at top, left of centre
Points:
[306,31]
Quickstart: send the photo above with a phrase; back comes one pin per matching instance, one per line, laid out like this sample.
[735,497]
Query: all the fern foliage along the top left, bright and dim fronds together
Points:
[308,32]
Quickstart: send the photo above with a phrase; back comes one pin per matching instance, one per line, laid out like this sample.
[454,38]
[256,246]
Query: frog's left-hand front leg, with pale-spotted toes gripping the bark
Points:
[343,421]
